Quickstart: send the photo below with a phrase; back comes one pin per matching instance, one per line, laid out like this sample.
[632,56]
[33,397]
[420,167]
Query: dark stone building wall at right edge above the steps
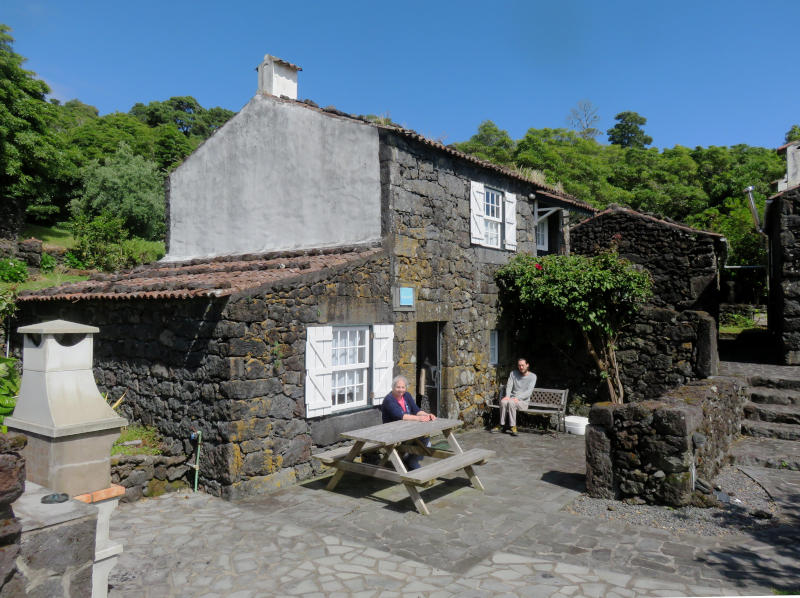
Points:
[784,299]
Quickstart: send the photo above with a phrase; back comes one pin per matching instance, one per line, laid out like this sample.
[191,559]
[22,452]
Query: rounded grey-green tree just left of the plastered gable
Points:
[128,186]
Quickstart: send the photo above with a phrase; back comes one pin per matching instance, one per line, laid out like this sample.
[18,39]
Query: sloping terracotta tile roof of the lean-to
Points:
[218,277]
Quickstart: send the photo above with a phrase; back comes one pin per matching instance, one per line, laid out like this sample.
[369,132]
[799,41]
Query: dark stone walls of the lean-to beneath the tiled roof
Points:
[231,367]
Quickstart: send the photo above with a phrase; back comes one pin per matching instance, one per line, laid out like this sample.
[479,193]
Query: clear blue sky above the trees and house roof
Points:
[706,72]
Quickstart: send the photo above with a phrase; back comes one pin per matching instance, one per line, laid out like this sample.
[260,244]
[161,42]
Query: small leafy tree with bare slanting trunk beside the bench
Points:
[600,294]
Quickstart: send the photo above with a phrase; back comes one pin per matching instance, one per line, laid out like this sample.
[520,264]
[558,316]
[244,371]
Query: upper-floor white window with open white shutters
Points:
[484,222]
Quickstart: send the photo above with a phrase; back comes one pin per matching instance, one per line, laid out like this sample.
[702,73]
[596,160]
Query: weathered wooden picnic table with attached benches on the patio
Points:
[389,440]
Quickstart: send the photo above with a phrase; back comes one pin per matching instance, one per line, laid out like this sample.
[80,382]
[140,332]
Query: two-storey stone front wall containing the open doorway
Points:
[428,236]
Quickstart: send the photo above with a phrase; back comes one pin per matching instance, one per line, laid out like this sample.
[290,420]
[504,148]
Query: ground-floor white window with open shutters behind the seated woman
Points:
[323,370]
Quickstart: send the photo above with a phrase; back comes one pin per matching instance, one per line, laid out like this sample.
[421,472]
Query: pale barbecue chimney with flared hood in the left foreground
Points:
[70,427]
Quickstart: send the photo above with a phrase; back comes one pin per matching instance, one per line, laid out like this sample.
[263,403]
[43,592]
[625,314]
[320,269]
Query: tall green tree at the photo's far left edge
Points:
[26,148]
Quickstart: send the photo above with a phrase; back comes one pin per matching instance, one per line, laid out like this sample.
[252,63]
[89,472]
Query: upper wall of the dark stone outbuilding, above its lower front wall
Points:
[684,264]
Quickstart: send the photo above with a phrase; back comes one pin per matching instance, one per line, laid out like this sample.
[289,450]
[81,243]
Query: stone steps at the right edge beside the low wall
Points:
[771,424]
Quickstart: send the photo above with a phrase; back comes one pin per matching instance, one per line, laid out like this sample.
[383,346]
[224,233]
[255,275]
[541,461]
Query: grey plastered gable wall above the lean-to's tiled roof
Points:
[277,176]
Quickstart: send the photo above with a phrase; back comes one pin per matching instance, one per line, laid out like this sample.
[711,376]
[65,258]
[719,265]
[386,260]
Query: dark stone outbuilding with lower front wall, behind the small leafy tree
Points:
[675,337]
